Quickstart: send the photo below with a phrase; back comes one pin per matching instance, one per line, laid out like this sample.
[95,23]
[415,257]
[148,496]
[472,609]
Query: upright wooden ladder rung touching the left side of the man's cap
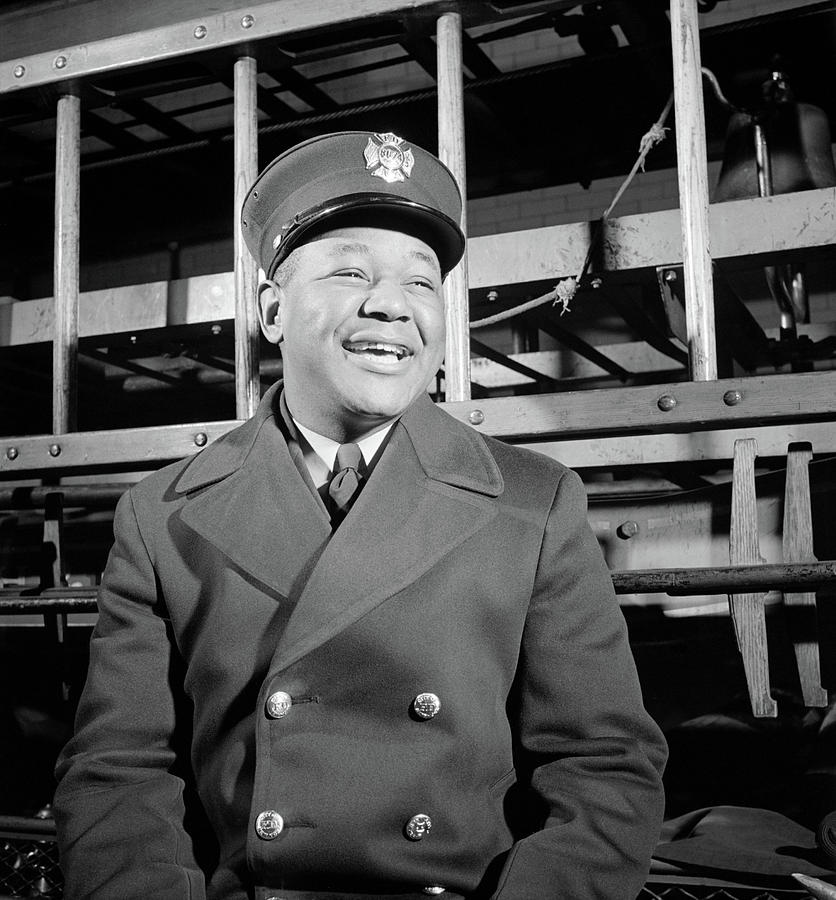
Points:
[247,386]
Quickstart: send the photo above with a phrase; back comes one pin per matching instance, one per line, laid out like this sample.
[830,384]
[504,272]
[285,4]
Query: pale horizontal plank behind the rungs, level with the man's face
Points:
[776,224]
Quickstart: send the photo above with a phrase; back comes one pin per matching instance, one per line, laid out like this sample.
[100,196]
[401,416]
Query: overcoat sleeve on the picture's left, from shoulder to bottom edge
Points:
[119,805]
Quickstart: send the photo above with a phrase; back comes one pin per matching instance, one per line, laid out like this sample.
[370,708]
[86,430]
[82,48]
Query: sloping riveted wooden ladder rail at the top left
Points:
[193,35]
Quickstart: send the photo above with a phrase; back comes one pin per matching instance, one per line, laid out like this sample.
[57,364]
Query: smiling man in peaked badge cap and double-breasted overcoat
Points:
[354,649]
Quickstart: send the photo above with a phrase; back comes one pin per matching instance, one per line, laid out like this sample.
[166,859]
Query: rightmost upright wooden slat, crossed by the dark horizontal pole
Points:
[798,548]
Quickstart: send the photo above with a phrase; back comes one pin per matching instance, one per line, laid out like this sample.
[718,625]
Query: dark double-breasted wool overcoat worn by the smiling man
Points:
[466,569]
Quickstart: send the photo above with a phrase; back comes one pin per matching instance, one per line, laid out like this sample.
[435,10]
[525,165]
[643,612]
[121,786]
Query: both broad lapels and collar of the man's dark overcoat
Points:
[433,488]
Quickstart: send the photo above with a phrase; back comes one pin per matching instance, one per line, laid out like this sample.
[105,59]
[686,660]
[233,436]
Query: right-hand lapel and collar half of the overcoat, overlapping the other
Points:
[432,489]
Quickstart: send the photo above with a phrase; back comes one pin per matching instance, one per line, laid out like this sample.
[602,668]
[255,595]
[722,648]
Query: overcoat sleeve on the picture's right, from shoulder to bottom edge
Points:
[593,755]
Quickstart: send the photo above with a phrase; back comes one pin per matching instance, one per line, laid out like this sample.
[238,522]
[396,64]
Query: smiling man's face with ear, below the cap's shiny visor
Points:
[361,325]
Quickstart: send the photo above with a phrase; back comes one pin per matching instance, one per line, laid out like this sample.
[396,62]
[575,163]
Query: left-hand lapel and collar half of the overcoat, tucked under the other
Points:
[254,505]
